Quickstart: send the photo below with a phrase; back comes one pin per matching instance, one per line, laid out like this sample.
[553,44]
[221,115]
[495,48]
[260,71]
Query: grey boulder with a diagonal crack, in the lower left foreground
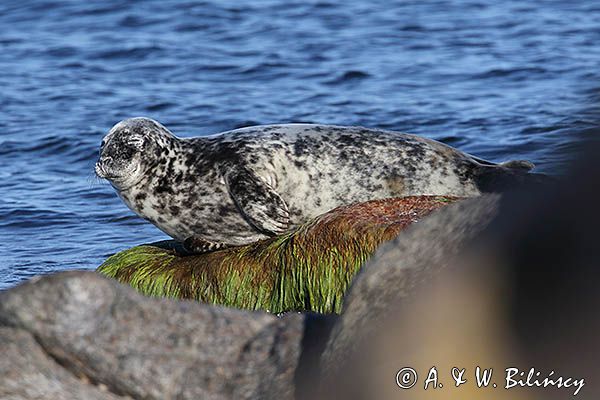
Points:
[91,329]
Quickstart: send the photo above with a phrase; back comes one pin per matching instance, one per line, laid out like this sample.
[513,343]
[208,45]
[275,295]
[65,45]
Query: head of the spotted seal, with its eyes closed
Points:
[129,151]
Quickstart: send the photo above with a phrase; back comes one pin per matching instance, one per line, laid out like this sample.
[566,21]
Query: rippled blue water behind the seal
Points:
[501,80]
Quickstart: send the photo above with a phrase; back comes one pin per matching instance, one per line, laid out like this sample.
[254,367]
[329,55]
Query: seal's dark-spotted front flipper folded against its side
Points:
[260,204]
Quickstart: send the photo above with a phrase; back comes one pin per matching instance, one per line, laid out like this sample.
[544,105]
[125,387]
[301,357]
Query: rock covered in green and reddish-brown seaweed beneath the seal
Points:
[308,269]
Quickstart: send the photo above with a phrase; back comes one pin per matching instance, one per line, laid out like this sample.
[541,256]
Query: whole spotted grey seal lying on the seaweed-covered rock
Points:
[248,184]
